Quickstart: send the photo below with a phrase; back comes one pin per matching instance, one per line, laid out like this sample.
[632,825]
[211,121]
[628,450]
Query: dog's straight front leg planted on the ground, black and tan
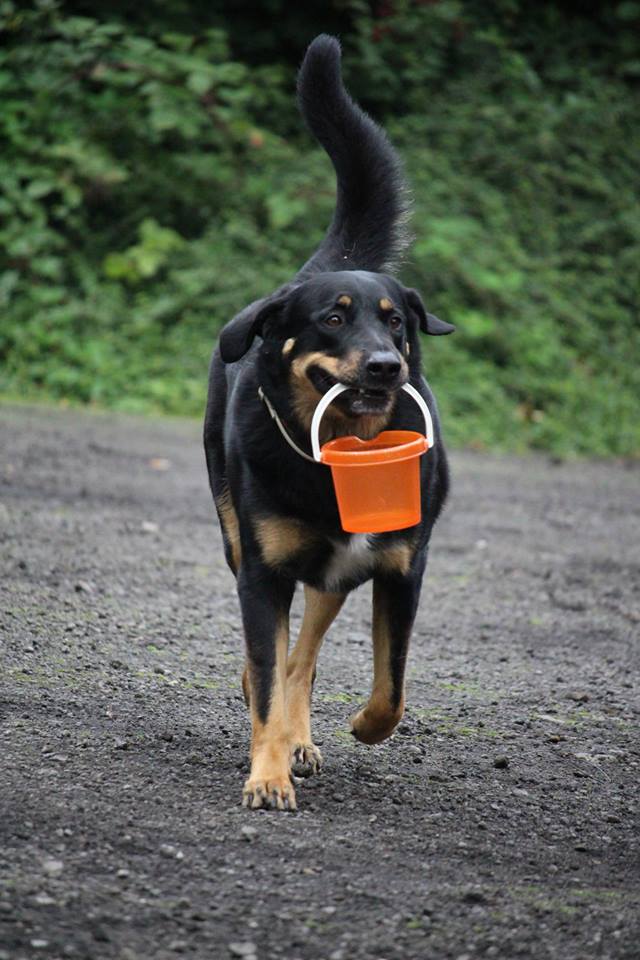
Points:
[265,598]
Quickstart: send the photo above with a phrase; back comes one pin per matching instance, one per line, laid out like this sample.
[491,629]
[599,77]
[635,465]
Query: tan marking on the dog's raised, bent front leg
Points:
[380,716]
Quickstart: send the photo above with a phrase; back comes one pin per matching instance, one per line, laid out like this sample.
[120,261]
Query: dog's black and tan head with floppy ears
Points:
[351,327]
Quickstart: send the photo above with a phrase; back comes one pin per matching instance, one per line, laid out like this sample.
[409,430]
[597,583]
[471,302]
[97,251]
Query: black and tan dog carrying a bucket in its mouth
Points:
[339,320]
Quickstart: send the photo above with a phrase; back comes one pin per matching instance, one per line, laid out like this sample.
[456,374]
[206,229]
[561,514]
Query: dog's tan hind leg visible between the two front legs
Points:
[320,610]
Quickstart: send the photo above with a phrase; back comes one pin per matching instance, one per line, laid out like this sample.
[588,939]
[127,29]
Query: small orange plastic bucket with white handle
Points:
[377,482]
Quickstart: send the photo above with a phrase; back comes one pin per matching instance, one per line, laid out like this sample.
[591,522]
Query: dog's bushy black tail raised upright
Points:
[367,231]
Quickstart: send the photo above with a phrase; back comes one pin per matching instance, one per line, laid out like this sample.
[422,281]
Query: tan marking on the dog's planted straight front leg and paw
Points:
[269,783]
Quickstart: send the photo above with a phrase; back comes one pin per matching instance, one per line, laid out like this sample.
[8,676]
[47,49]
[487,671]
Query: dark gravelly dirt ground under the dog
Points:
[500,821]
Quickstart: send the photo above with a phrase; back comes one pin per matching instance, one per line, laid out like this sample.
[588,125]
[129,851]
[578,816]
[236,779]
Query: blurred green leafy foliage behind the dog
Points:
[155,179]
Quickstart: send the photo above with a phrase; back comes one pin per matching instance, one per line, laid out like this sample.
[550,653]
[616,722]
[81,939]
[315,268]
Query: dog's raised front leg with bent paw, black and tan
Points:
[395,601]
